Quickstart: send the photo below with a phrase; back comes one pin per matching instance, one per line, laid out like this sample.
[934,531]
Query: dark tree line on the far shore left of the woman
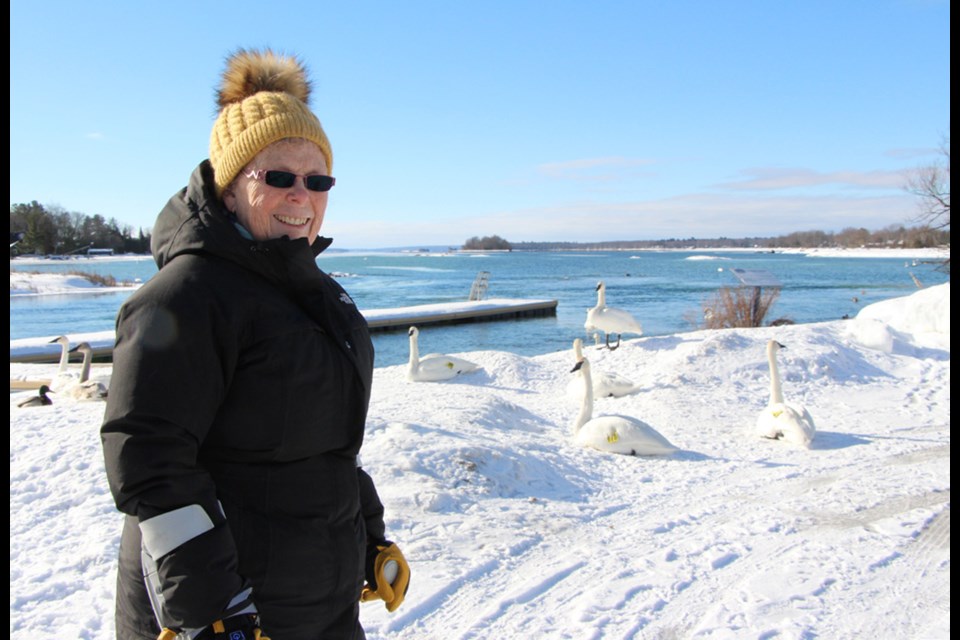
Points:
[35,229]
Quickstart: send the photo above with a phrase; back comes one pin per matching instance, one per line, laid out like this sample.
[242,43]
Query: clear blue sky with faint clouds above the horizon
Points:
[557,121]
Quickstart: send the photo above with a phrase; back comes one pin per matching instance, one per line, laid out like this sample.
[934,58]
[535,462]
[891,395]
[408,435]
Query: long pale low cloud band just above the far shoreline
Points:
[696,215]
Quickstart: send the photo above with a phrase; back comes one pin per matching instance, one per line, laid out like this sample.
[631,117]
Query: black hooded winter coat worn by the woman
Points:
[241,380]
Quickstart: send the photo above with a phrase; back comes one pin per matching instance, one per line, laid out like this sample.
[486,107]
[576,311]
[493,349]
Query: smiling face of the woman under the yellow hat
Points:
[269,212]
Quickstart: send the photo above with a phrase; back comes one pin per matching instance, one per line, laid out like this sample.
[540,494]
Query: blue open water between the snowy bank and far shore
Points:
[664,290]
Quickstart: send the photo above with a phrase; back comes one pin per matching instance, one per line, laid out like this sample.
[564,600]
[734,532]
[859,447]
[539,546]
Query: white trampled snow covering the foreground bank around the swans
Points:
[514,532]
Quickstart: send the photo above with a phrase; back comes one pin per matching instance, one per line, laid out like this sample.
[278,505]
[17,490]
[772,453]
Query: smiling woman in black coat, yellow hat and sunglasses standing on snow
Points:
[240,388]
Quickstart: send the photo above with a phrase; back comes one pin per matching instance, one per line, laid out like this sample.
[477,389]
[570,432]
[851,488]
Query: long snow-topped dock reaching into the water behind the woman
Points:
[380,320]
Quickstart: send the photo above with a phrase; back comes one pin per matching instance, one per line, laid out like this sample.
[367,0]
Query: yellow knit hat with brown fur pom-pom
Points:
[262,99]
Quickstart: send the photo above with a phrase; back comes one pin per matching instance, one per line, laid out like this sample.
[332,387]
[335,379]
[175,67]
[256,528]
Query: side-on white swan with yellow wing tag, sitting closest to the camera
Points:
[614,433]
